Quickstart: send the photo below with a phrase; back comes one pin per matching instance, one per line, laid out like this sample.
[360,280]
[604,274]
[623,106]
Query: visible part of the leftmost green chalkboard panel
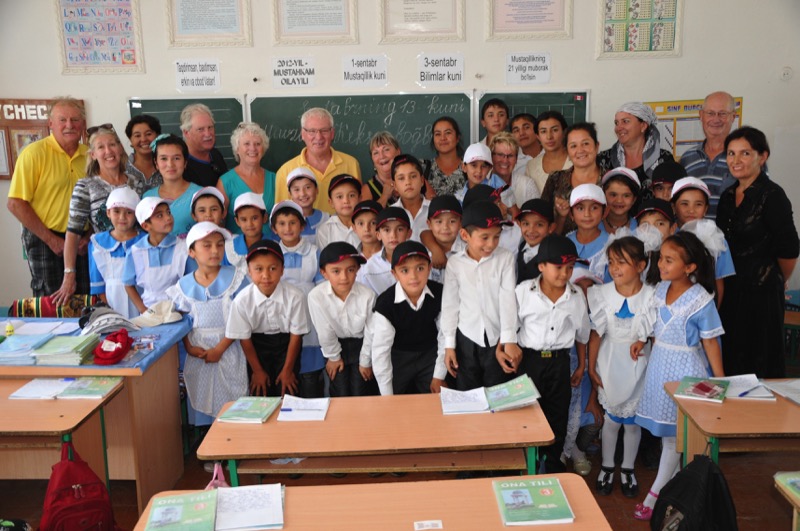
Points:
[228,113]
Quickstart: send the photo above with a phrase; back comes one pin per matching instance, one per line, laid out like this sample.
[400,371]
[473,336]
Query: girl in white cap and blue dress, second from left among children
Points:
[156,262]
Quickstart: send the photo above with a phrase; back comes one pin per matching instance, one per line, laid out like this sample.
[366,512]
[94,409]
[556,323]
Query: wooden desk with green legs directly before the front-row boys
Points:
[378,425]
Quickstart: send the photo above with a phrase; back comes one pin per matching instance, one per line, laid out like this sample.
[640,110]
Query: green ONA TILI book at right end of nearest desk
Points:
[532,502]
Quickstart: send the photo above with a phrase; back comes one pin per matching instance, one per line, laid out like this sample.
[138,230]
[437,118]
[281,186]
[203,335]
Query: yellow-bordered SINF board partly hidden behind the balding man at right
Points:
[679,123]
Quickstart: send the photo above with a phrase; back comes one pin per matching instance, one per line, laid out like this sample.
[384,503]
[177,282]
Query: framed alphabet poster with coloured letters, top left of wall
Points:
[100,36]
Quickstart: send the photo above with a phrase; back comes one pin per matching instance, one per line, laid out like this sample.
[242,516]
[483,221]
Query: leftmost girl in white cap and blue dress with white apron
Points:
[107,251]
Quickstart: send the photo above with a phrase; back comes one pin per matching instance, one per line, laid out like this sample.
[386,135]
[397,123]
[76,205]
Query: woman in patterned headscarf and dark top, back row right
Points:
[638,145]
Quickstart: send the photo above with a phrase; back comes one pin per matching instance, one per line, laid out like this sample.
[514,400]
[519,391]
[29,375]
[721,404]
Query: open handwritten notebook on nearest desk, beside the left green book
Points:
[252,507]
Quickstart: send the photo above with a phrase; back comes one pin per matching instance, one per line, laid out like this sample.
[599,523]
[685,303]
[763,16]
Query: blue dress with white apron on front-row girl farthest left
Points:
[211,385]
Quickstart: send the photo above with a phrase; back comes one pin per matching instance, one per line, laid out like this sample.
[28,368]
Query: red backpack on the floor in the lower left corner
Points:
[76,499]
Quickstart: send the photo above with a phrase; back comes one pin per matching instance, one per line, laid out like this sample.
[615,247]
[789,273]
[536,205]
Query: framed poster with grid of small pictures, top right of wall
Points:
[639,28]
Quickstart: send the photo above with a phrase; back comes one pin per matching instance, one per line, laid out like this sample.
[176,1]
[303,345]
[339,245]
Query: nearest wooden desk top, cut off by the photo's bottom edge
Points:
[458,503]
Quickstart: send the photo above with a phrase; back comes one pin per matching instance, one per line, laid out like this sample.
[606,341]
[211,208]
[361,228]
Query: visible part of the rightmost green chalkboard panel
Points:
[571,104]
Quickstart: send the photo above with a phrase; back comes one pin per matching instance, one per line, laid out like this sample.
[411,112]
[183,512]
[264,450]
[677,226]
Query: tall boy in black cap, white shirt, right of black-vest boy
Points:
[479,311]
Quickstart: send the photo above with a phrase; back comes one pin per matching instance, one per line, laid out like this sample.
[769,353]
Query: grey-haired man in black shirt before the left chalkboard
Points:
[206,164]
